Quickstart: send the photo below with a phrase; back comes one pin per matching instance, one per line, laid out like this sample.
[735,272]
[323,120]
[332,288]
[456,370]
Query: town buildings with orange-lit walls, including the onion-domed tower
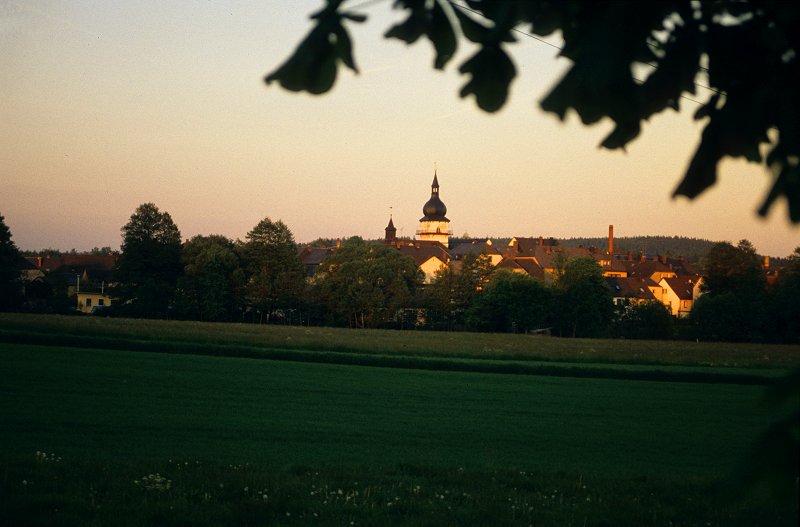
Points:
[632,278]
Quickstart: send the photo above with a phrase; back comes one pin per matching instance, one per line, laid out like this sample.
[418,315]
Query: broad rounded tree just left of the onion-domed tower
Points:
[366,284]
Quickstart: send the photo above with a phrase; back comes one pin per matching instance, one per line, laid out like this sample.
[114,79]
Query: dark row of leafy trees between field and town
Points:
[367,284]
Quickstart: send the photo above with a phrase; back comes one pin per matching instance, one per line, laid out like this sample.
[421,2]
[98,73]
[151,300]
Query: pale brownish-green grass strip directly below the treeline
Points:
[409,343]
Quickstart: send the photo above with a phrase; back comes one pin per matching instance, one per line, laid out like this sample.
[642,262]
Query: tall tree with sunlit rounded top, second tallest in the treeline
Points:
[275,275]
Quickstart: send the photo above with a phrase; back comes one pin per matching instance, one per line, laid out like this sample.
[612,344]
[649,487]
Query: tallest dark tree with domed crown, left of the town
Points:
[150,263]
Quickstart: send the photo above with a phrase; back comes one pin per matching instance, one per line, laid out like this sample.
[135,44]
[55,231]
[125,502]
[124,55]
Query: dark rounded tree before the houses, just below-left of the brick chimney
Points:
[583,301]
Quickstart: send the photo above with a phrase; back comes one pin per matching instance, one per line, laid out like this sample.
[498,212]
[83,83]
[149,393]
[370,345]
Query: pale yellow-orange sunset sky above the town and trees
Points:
[105,105]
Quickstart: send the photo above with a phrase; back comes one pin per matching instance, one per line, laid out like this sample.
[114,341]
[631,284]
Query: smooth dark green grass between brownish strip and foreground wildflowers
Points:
[136,406]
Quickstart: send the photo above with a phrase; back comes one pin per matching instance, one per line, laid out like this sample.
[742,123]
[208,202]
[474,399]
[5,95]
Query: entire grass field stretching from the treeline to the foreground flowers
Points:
[331,443]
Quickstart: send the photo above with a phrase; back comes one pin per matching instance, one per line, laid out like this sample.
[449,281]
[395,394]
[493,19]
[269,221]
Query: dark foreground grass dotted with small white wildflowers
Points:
[45,491]
